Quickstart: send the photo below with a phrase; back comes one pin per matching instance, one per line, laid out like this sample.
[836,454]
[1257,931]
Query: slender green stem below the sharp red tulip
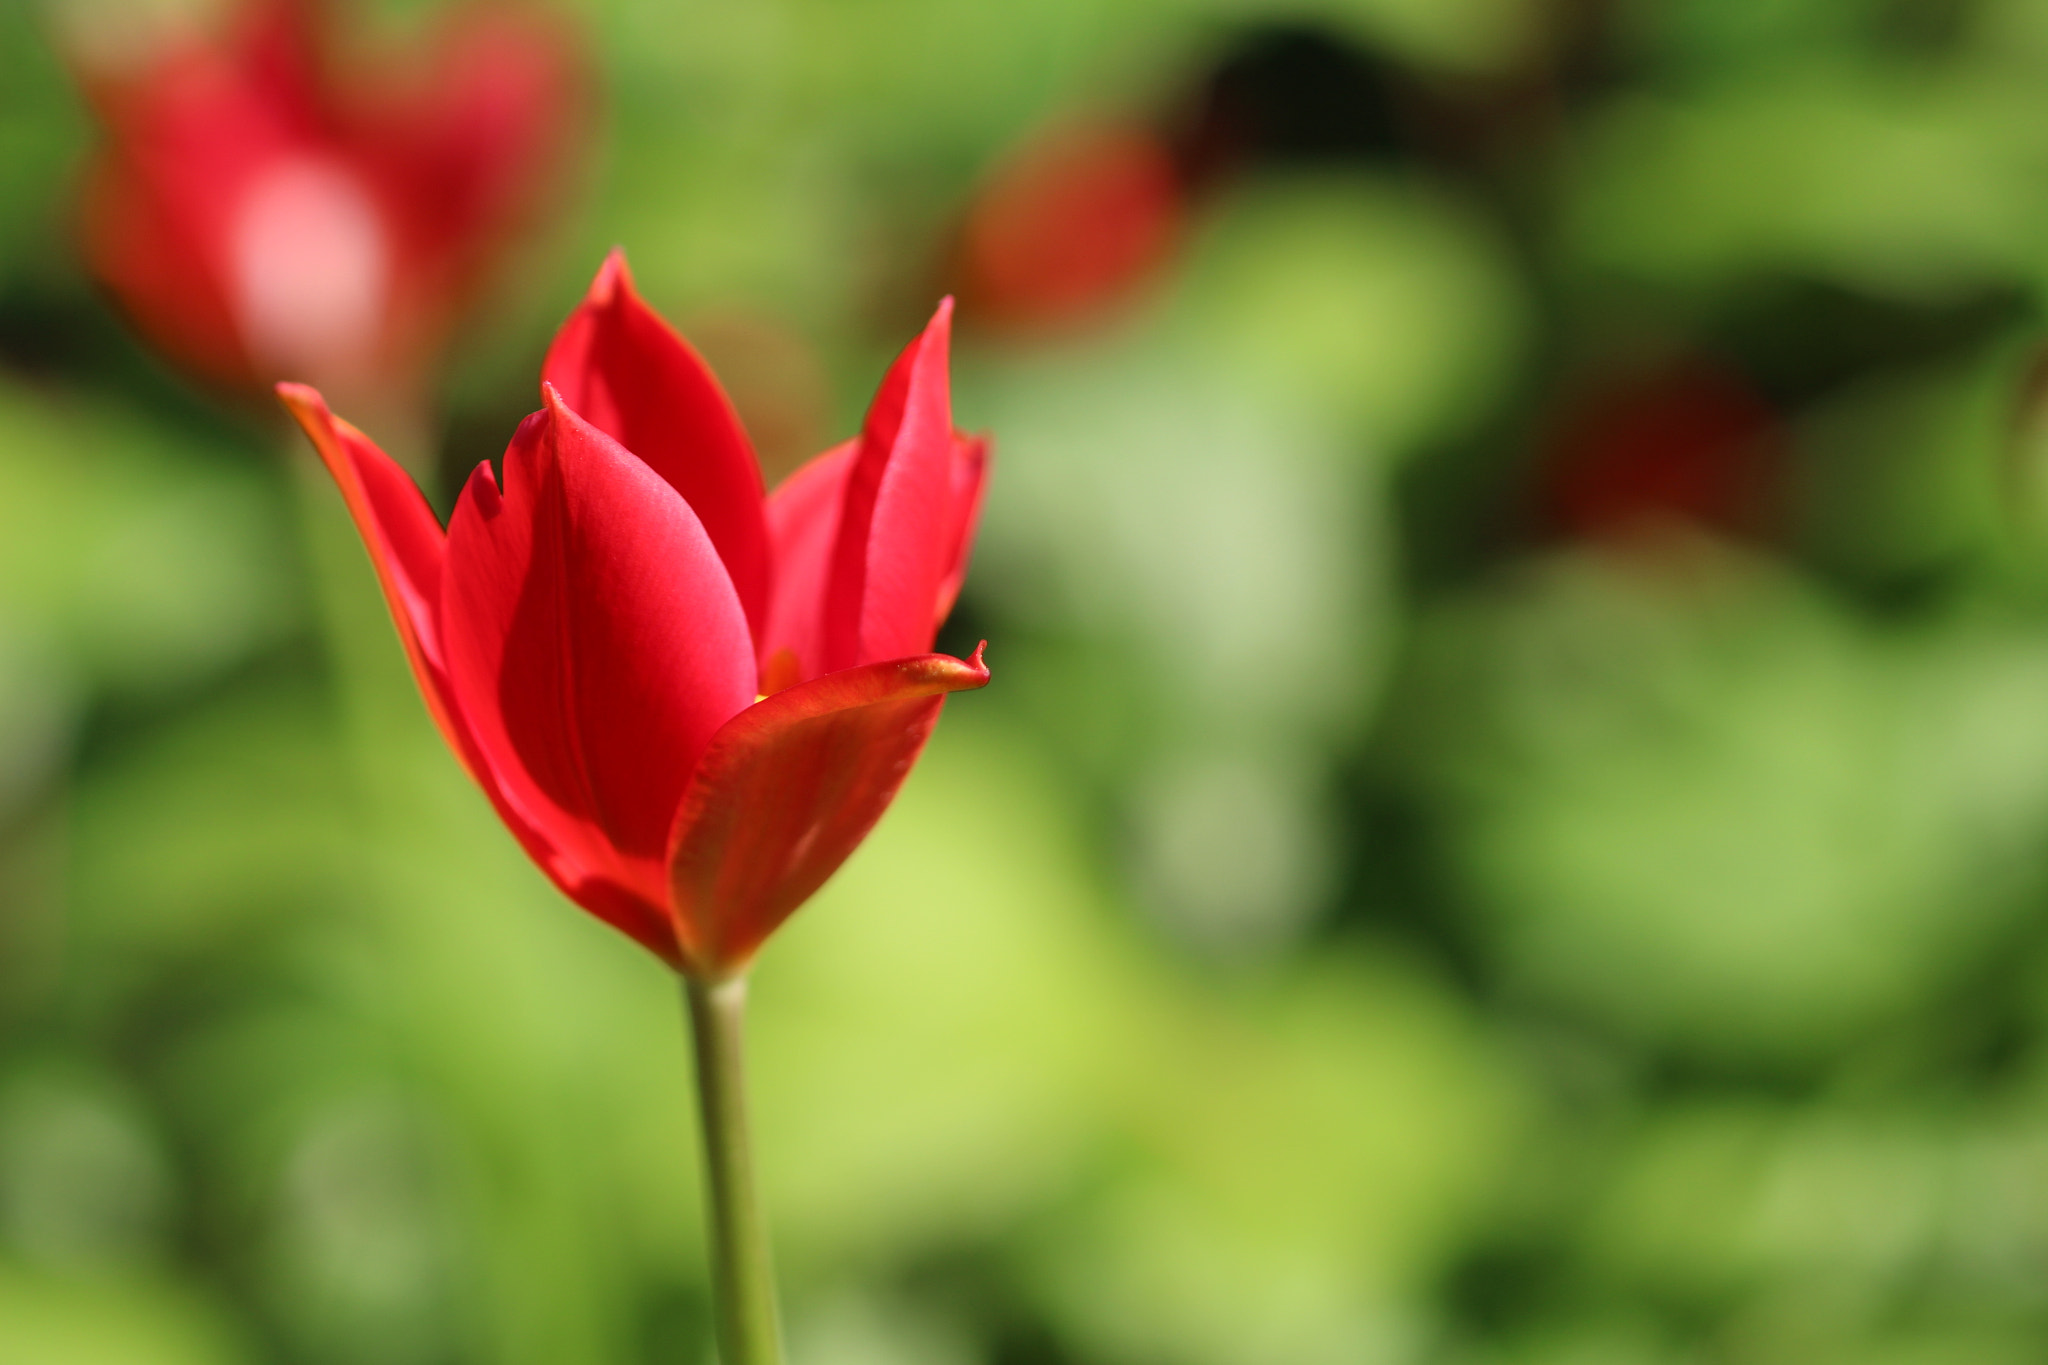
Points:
[742,1274]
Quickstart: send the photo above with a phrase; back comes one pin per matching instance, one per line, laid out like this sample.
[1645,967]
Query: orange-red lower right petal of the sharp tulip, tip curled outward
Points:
[787,791]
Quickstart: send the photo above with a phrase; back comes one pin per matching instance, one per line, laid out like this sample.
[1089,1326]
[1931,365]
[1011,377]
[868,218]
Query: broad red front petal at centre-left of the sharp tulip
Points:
[595,642]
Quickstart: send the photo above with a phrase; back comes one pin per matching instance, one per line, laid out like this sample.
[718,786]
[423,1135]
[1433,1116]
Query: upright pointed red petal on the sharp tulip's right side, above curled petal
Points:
[898,527]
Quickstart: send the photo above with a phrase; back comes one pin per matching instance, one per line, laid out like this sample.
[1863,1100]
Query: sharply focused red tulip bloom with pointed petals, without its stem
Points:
[685,699]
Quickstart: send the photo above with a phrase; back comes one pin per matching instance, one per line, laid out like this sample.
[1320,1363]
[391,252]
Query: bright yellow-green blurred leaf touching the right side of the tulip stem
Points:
[939,1034]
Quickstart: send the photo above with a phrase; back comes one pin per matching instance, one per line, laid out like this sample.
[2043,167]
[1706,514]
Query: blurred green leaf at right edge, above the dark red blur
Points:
[1854,173]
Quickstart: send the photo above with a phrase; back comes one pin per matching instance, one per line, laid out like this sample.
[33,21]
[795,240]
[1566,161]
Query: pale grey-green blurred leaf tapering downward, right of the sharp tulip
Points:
[1207,590]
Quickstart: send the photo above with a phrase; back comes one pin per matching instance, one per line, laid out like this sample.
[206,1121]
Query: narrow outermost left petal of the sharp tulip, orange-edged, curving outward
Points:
[409,552]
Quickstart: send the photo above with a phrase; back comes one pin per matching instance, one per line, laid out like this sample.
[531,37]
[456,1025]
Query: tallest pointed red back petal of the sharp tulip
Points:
[628,373]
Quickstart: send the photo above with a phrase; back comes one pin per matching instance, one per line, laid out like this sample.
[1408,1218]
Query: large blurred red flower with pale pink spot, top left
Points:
[265,214]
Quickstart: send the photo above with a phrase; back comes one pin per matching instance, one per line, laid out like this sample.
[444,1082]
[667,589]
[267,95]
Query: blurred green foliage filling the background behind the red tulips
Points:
[1406,899]
